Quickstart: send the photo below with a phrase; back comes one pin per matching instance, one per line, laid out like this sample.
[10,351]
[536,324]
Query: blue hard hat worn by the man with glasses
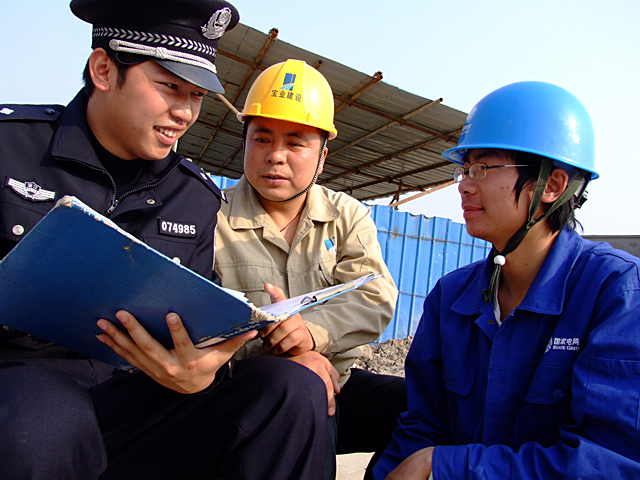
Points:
[535,117]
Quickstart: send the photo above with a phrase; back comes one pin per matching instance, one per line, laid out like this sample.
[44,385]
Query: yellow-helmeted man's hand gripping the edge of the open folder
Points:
[290,335]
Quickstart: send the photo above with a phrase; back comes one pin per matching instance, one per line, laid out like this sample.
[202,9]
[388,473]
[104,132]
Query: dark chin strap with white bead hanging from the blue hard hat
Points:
[579,182]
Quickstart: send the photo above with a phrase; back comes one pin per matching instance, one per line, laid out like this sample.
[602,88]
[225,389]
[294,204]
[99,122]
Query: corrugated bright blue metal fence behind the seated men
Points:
[418,251]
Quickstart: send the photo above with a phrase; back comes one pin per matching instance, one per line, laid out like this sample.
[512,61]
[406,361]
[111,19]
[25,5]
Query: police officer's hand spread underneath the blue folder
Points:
[185,368]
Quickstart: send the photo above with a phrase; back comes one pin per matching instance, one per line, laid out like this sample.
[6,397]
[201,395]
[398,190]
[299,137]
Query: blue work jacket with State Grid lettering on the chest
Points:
[554,392]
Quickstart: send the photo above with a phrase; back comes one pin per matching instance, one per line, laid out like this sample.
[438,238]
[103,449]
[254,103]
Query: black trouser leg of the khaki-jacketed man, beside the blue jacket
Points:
[368,409]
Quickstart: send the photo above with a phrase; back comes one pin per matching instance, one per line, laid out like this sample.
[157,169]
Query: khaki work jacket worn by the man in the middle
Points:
[336,241]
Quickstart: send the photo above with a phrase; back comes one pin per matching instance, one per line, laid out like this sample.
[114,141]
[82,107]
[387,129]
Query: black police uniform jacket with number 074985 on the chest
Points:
[47,152]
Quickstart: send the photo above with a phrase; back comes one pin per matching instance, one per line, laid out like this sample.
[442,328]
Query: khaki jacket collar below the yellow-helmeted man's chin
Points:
[247,212]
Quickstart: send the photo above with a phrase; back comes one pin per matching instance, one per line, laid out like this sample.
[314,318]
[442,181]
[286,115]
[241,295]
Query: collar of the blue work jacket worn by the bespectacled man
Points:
[547,292]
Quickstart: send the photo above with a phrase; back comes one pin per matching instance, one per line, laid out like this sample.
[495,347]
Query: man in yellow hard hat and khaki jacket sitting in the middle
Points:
[280,235]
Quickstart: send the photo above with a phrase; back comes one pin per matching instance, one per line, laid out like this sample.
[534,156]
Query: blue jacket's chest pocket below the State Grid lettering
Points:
[546,407]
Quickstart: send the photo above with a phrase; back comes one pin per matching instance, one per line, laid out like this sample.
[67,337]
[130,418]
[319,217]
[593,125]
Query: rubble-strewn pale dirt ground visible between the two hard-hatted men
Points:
[387,358]
